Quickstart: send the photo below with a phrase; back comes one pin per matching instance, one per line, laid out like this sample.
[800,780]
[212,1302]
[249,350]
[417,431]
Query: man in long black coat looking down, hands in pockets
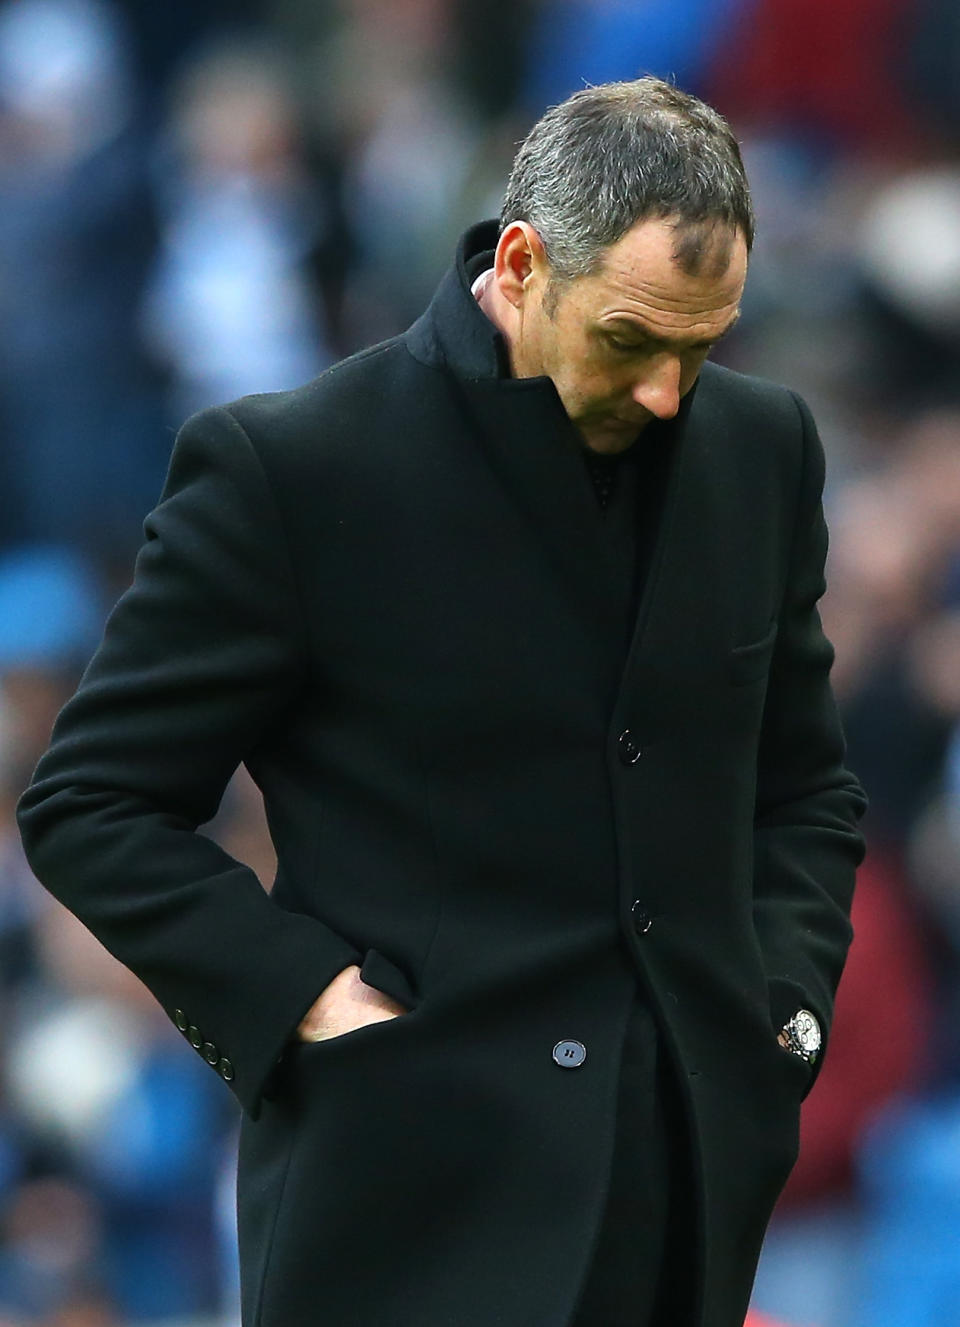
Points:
[546,740]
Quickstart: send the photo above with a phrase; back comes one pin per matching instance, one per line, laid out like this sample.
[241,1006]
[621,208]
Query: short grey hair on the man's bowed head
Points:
[622,153]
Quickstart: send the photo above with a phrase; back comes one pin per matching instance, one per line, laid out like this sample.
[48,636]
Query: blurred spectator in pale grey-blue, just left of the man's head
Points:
[414,152]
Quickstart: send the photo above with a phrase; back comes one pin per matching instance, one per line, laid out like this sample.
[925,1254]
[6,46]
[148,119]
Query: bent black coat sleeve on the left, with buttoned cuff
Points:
[199,662]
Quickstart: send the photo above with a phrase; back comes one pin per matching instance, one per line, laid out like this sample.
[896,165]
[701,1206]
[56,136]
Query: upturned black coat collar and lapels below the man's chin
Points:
[538,454]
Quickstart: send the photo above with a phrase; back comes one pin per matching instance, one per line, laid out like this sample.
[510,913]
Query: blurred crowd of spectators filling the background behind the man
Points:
[200,201]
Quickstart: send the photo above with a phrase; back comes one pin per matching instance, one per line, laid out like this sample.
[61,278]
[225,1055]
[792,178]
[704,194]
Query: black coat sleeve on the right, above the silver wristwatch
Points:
[807,842]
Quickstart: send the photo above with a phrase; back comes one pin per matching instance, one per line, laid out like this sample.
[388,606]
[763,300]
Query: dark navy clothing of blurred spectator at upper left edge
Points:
[83,451]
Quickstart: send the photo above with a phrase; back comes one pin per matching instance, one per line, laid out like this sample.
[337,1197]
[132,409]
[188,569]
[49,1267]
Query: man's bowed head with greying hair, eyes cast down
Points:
[625,237]
